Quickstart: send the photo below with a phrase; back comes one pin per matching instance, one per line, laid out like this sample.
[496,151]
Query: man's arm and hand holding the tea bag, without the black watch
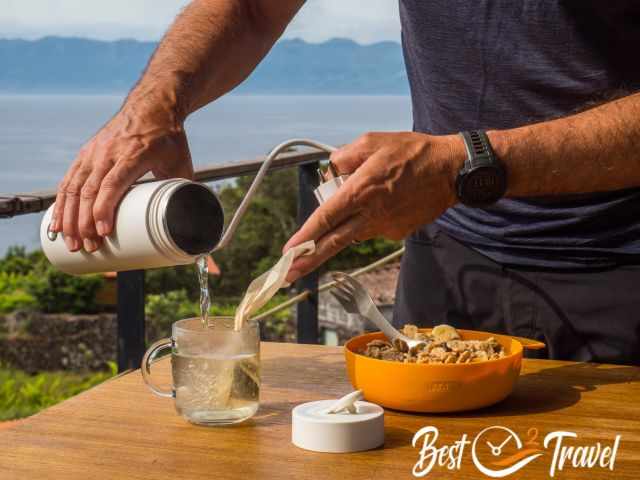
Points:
[403,180]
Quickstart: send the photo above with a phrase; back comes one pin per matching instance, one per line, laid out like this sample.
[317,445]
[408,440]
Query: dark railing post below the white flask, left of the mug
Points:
[131,342]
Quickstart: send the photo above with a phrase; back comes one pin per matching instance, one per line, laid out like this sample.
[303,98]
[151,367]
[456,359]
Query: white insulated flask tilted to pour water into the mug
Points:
[158,224]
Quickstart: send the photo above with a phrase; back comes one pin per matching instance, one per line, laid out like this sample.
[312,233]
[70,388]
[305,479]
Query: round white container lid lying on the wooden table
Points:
[354,427]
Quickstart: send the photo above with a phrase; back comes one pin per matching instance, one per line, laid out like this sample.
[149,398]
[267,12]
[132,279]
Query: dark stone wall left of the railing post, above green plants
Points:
[35,342]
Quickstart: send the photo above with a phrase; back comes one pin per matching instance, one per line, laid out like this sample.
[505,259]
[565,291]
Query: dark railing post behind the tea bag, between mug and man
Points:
[307,310]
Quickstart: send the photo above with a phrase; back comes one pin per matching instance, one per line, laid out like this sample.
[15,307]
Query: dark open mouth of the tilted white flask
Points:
[194,218]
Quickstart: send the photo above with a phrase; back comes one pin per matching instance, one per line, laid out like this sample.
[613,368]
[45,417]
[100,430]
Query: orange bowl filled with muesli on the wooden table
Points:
[392,377]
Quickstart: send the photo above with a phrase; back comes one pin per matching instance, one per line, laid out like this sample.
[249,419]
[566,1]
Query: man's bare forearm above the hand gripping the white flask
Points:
[211,47]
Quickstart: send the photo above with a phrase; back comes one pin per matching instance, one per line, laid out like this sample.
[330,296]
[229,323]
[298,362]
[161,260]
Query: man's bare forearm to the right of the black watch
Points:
[595,150]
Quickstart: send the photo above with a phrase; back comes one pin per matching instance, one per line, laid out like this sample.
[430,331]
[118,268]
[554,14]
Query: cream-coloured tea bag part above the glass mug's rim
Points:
[263,288]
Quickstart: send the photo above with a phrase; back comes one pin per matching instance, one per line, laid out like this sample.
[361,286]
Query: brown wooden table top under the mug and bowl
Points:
[119,430]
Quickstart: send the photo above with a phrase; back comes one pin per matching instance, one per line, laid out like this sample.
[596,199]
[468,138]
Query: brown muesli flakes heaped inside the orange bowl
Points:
[443,344]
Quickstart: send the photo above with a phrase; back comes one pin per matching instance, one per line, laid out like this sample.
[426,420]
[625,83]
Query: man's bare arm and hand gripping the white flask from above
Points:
[211,47]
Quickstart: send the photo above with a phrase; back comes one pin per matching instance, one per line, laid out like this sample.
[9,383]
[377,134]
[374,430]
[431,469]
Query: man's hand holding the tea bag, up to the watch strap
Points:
[399,181]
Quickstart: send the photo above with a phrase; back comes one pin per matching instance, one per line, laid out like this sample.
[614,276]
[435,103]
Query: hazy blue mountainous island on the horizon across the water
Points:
[79,65]
